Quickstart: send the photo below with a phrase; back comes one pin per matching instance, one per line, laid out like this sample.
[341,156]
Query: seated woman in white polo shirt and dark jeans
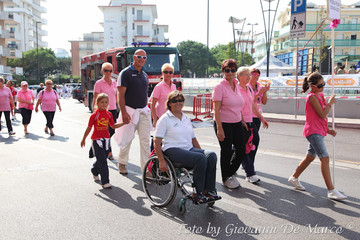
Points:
[174,130]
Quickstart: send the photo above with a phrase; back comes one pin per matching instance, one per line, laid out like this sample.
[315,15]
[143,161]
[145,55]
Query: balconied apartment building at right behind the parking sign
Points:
[347,43]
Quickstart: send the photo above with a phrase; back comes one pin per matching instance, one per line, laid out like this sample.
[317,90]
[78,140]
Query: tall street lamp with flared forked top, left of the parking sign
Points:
[268,31]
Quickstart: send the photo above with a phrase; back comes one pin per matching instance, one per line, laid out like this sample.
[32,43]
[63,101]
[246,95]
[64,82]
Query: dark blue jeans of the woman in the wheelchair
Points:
[202,162]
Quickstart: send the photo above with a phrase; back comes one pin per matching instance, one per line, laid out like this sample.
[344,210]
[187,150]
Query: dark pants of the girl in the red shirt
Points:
[100,165]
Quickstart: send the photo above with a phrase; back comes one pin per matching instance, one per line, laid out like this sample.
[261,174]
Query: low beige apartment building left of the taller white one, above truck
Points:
[90,43]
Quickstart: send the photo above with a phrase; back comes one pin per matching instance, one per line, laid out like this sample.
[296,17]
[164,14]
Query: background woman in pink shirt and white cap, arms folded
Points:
[26,104]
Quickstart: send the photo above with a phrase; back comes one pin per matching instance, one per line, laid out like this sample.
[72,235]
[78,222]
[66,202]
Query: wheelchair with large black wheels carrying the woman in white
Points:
[161,187]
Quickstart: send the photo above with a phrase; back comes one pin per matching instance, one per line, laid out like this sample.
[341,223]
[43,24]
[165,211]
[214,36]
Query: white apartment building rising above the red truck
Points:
[127,21]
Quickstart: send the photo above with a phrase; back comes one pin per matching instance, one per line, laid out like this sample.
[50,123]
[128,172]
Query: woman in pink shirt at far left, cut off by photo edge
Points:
[6,101]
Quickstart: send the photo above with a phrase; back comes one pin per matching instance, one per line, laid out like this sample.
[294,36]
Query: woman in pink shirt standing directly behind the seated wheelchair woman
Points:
[161,91]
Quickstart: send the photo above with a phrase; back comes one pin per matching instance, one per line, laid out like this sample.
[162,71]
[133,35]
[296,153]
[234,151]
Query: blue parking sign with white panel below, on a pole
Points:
[298,18]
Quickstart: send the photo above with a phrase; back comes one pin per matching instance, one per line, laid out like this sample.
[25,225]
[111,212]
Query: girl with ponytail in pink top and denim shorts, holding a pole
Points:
[316,128]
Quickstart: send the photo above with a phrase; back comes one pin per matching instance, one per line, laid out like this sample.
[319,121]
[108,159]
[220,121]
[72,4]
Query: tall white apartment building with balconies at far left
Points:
[20,30]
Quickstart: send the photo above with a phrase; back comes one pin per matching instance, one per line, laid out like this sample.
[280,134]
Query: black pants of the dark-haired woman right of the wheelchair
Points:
[234,136]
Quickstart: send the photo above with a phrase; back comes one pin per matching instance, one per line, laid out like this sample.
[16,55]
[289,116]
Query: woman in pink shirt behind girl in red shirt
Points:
[108,86]
